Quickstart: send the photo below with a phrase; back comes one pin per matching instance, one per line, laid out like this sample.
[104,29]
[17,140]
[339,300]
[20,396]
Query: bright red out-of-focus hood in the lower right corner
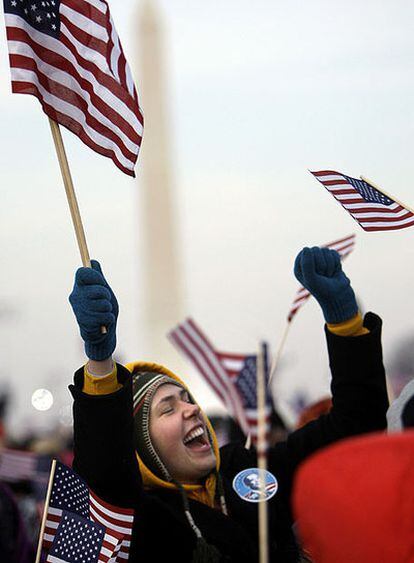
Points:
[353,501]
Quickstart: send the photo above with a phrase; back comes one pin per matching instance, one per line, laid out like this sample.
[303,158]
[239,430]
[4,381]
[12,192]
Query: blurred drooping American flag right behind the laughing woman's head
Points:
[231,376]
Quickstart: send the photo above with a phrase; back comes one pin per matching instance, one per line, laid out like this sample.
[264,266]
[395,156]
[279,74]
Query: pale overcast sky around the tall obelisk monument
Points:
[258,94]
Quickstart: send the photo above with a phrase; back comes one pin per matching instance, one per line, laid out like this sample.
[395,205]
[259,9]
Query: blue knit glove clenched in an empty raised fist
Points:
[319,270]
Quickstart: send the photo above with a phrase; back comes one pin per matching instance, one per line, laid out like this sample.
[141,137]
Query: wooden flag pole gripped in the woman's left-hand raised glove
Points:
[71,197]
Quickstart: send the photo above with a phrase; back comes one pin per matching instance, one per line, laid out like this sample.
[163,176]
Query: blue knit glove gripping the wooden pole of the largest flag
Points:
[95,305]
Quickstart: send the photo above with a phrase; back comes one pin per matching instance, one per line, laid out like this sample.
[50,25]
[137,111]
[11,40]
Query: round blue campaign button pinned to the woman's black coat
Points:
[255,485]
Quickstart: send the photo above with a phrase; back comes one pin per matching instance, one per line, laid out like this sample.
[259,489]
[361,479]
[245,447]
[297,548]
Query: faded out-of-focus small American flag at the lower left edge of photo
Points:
[20,465]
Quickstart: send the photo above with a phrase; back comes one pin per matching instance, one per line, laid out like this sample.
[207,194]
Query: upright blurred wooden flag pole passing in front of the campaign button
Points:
[262,455]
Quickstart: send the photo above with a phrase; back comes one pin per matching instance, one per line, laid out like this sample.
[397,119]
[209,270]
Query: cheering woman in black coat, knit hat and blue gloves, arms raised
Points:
[141,440]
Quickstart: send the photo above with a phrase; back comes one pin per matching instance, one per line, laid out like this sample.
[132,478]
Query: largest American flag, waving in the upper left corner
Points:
[67,53]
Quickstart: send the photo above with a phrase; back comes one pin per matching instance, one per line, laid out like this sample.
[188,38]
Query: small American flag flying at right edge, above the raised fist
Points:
[372,209]
